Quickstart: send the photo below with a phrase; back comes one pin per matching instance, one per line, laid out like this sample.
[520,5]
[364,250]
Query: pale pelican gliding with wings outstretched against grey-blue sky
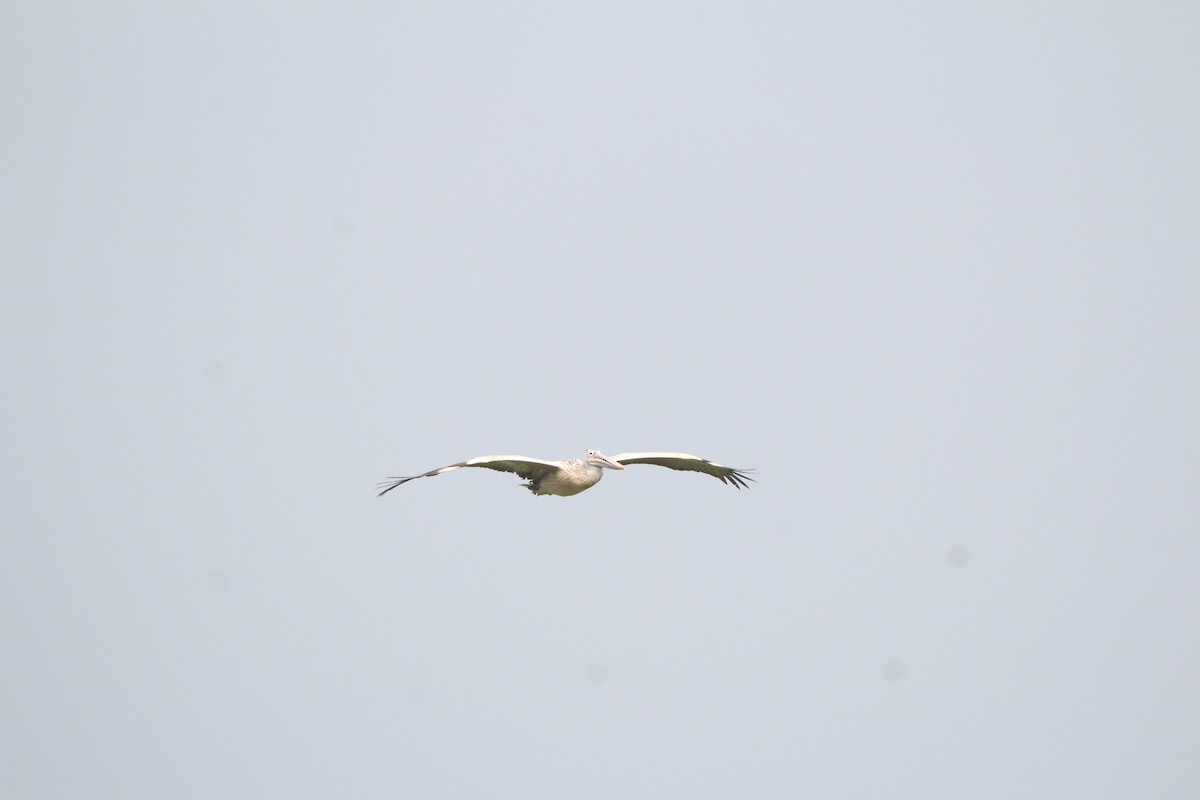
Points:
[568,478]
